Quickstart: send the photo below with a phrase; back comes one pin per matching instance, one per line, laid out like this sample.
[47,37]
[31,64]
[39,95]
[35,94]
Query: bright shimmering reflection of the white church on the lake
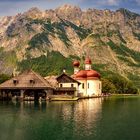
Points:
[86,116]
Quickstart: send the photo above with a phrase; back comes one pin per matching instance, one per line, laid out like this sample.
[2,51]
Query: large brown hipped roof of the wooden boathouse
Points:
[27,80]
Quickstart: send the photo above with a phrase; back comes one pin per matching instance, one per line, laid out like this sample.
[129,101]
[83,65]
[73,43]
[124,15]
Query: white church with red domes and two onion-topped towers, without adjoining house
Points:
[91,84]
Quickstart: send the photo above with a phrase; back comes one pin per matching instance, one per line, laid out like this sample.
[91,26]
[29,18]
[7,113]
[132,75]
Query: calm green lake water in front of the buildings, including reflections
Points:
[113,118]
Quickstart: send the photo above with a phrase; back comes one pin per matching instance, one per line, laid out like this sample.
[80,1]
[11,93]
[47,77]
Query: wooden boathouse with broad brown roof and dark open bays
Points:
[27,86]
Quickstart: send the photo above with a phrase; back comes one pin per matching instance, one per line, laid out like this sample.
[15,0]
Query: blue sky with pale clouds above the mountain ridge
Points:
[12,7]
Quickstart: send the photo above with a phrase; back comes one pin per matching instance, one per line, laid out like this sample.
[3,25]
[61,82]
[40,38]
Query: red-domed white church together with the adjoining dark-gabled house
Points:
[83,83]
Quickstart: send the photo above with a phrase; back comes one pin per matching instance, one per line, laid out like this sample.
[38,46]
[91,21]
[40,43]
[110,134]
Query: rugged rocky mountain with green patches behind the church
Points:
[48,41]
